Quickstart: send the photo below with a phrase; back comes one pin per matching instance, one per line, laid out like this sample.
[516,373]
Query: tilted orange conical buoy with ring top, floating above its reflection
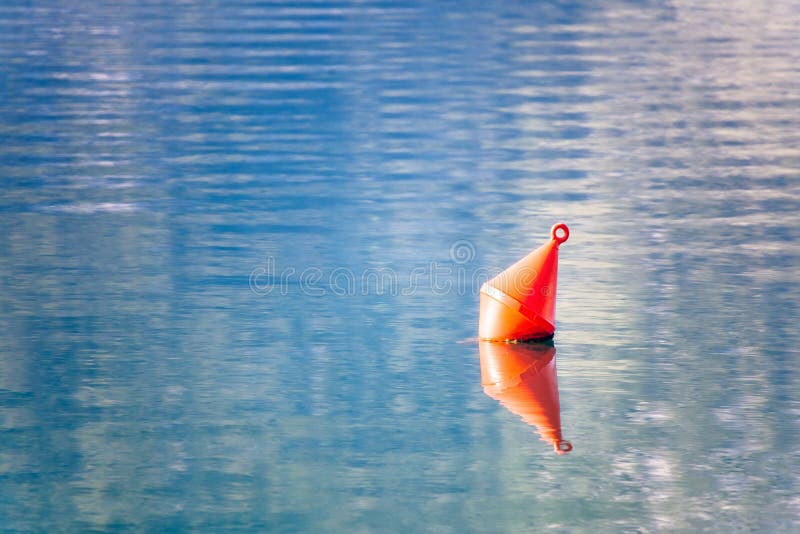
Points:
[520,303]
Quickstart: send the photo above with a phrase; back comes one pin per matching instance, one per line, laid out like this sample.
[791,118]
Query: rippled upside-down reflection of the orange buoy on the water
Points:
[522,377]
